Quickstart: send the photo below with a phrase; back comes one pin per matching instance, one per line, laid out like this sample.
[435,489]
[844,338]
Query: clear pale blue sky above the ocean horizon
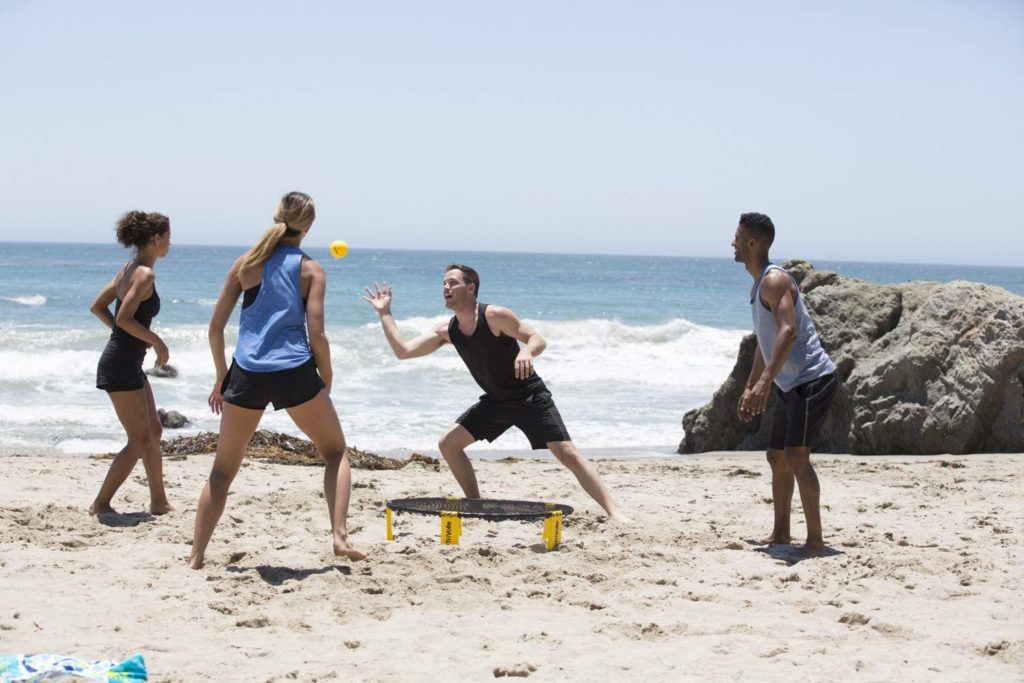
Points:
[886,132]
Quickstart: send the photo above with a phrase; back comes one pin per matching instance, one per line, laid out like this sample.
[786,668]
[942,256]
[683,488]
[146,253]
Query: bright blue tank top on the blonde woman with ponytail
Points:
[273,330]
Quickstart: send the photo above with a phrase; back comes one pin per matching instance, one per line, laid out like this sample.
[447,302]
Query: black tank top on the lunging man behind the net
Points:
[492,361]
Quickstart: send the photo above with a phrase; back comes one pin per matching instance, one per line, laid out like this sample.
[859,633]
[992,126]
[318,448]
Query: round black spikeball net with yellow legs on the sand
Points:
[453,510]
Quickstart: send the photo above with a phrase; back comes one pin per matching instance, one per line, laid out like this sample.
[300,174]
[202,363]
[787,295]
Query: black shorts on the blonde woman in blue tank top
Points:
[284,389]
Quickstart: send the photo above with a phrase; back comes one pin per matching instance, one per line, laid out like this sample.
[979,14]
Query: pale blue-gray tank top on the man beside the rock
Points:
[807,360]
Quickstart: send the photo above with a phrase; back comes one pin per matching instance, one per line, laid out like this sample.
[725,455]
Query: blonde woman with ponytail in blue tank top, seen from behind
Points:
[282,358]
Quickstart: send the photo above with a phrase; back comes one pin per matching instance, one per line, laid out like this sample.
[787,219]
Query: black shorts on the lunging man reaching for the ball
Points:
[536,416]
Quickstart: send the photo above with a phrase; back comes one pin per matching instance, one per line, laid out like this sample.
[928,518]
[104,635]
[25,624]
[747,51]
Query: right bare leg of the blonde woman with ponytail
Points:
[318,419]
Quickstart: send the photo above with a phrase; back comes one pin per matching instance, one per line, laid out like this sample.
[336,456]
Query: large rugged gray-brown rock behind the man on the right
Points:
[927,368]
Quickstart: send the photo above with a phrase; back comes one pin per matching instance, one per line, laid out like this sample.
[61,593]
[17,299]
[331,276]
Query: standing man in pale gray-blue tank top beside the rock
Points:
[790,357]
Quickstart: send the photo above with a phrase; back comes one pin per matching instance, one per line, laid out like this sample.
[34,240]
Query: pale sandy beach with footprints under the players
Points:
[923,580]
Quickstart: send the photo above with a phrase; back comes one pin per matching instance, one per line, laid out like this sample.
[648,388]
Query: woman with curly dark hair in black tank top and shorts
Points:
[134,291]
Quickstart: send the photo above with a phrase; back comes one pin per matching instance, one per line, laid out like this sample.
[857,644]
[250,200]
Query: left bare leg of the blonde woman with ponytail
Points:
[237,428]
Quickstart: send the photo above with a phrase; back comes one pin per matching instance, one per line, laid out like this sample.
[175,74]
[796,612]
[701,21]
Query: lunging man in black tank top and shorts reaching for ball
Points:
[488,338]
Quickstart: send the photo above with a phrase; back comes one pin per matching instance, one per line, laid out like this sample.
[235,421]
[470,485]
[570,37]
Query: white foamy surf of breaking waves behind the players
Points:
[615,383]
